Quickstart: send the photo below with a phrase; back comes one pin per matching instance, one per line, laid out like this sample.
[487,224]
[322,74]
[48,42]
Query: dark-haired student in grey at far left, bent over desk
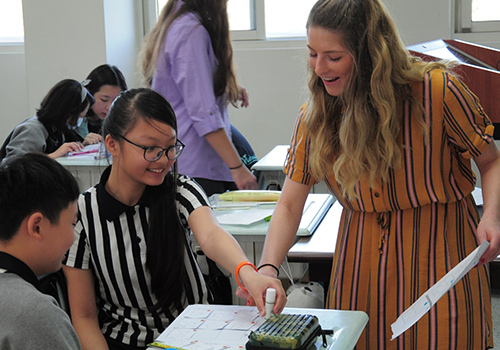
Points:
[60,109]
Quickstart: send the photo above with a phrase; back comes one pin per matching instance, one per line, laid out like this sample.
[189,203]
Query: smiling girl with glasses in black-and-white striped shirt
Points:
[132,255]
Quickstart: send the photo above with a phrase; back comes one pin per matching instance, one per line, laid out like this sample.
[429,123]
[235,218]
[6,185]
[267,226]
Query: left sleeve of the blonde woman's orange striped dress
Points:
[297,161]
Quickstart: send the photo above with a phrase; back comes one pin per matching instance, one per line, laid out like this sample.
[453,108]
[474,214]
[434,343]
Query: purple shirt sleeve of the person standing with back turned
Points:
[192,64]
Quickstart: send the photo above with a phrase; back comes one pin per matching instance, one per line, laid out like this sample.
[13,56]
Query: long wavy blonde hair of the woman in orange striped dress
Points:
[355,136]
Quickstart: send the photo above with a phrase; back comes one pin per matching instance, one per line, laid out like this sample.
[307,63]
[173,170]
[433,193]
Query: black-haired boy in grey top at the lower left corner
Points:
[38,206]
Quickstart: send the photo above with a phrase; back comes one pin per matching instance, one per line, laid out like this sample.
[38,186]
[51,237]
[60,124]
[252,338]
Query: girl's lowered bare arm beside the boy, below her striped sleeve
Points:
[84,308]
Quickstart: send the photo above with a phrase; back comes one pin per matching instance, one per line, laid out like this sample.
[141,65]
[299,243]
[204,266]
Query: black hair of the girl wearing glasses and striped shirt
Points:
[165,237]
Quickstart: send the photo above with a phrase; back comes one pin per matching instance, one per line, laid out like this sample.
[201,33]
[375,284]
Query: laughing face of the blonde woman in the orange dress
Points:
[329,59]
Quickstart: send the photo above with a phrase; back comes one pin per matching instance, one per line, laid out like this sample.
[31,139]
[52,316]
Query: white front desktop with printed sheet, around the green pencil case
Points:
[207,327]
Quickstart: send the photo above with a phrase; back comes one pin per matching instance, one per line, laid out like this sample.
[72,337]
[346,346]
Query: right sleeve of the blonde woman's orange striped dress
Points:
[466,123]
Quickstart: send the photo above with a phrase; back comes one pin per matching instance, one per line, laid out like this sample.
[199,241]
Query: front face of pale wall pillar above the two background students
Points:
[63,39]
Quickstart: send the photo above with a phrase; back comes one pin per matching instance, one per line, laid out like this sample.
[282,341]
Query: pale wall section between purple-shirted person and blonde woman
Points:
[275,79]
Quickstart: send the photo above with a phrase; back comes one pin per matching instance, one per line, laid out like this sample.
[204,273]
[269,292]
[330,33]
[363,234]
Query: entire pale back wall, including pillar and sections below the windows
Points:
[68,38]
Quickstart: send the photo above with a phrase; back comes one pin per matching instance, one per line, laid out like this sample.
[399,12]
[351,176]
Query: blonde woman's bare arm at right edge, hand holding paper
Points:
[488,229]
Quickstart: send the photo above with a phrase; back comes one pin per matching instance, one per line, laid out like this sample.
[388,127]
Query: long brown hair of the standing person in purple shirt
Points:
[213,16]
